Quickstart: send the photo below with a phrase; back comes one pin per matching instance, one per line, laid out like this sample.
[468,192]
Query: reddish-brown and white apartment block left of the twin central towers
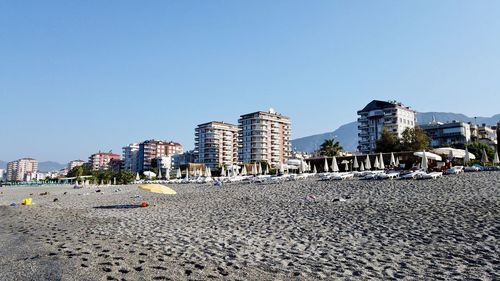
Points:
[151,149]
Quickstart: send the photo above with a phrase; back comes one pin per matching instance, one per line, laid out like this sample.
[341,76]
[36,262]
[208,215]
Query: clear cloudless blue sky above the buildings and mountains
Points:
[81,76]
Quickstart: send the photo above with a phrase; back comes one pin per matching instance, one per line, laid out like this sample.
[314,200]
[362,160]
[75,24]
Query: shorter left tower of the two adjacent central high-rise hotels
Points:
[216,144]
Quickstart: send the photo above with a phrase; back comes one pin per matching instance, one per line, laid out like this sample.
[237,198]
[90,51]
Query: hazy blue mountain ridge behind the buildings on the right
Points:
[347,134]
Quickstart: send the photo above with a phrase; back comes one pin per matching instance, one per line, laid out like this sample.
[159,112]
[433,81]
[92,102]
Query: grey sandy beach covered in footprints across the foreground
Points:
[442,229]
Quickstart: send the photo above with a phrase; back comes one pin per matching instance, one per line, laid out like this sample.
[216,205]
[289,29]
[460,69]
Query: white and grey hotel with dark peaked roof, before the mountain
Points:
[381,114]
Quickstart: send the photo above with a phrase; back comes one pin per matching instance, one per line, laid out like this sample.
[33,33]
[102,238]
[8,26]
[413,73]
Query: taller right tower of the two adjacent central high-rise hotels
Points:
[264,136]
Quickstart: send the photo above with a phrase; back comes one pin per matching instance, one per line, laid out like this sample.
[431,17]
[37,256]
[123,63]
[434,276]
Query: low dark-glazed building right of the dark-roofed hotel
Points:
[452,133]
